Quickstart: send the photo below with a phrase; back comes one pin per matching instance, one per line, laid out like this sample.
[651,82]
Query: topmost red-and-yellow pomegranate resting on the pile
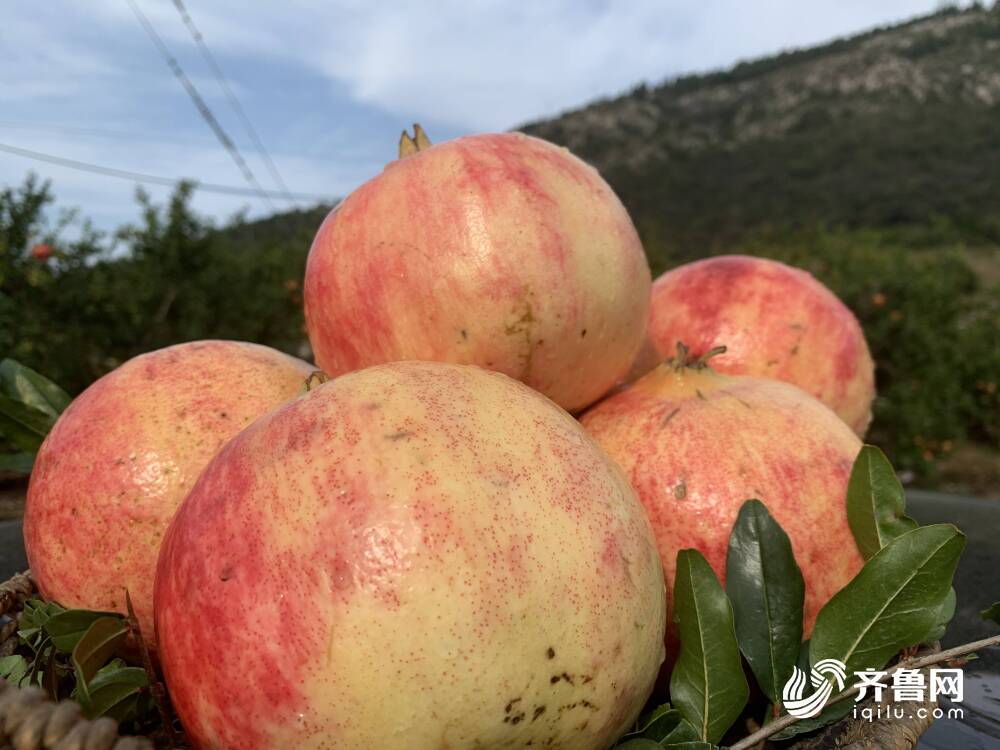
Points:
[503,251]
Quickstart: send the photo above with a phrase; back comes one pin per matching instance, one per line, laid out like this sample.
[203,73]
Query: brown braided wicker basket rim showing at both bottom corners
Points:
[30,721]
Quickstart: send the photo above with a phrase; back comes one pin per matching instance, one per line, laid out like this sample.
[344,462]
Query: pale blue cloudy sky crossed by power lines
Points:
[328,86]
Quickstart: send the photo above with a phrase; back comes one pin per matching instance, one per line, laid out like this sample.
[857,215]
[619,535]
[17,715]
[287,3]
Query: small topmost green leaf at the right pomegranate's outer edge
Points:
[876,505]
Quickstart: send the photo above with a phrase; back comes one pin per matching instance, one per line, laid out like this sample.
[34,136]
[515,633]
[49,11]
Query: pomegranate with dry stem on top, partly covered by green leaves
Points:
[696,445]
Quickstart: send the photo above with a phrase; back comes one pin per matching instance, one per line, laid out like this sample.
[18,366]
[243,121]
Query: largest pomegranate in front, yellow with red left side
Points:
[434,532]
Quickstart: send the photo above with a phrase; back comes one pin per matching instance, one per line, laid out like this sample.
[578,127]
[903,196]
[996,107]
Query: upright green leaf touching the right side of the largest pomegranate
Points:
[707,684]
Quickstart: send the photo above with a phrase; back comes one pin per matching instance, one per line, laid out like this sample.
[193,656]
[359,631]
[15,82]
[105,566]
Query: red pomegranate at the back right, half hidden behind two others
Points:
[774,320]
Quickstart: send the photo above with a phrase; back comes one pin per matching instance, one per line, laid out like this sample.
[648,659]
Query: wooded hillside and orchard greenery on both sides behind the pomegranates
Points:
[872,161]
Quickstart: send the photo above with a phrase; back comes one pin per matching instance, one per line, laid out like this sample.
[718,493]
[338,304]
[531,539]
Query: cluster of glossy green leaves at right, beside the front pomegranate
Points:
[901,597]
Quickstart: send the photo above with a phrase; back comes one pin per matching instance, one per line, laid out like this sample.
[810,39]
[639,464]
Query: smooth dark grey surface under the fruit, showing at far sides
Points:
[976,586]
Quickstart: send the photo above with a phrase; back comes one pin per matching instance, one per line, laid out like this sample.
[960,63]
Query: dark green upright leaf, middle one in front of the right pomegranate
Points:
[767,592]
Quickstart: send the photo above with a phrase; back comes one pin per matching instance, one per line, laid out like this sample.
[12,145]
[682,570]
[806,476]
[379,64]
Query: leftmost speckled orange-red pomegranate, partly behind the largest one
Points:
[116,465]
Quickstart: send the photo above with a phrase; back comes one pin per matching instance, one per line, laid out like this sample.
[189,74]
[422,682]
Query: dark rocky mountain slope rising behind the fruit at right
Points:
[893,127]
